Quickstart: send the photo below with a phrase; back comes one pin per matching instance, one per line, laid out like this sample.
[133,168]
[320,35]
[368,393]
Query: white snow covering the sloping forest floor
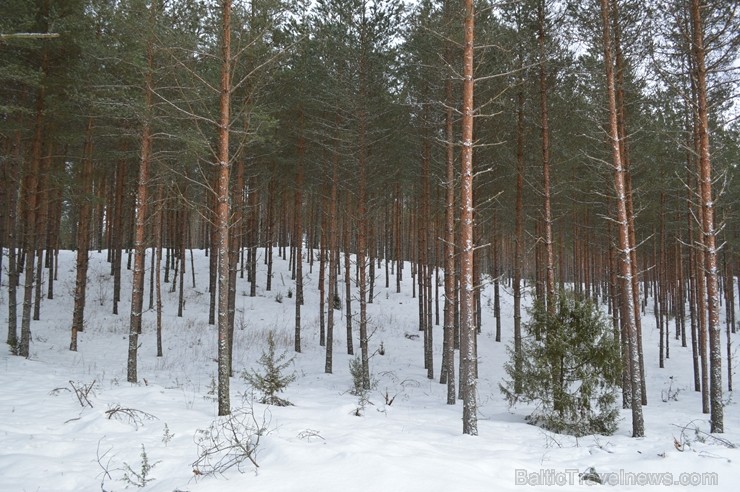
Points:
[50,442]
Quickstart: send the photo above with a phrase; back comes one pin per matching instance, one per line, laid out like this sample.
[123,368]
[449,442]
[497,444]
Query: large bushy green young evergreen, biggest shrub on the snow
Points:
[570,368]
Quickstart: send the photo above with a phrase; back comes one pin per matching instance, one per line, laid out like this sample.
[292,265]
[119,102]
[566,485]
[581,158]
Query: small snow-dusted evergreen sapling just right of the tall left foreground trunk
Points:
[272,379]
